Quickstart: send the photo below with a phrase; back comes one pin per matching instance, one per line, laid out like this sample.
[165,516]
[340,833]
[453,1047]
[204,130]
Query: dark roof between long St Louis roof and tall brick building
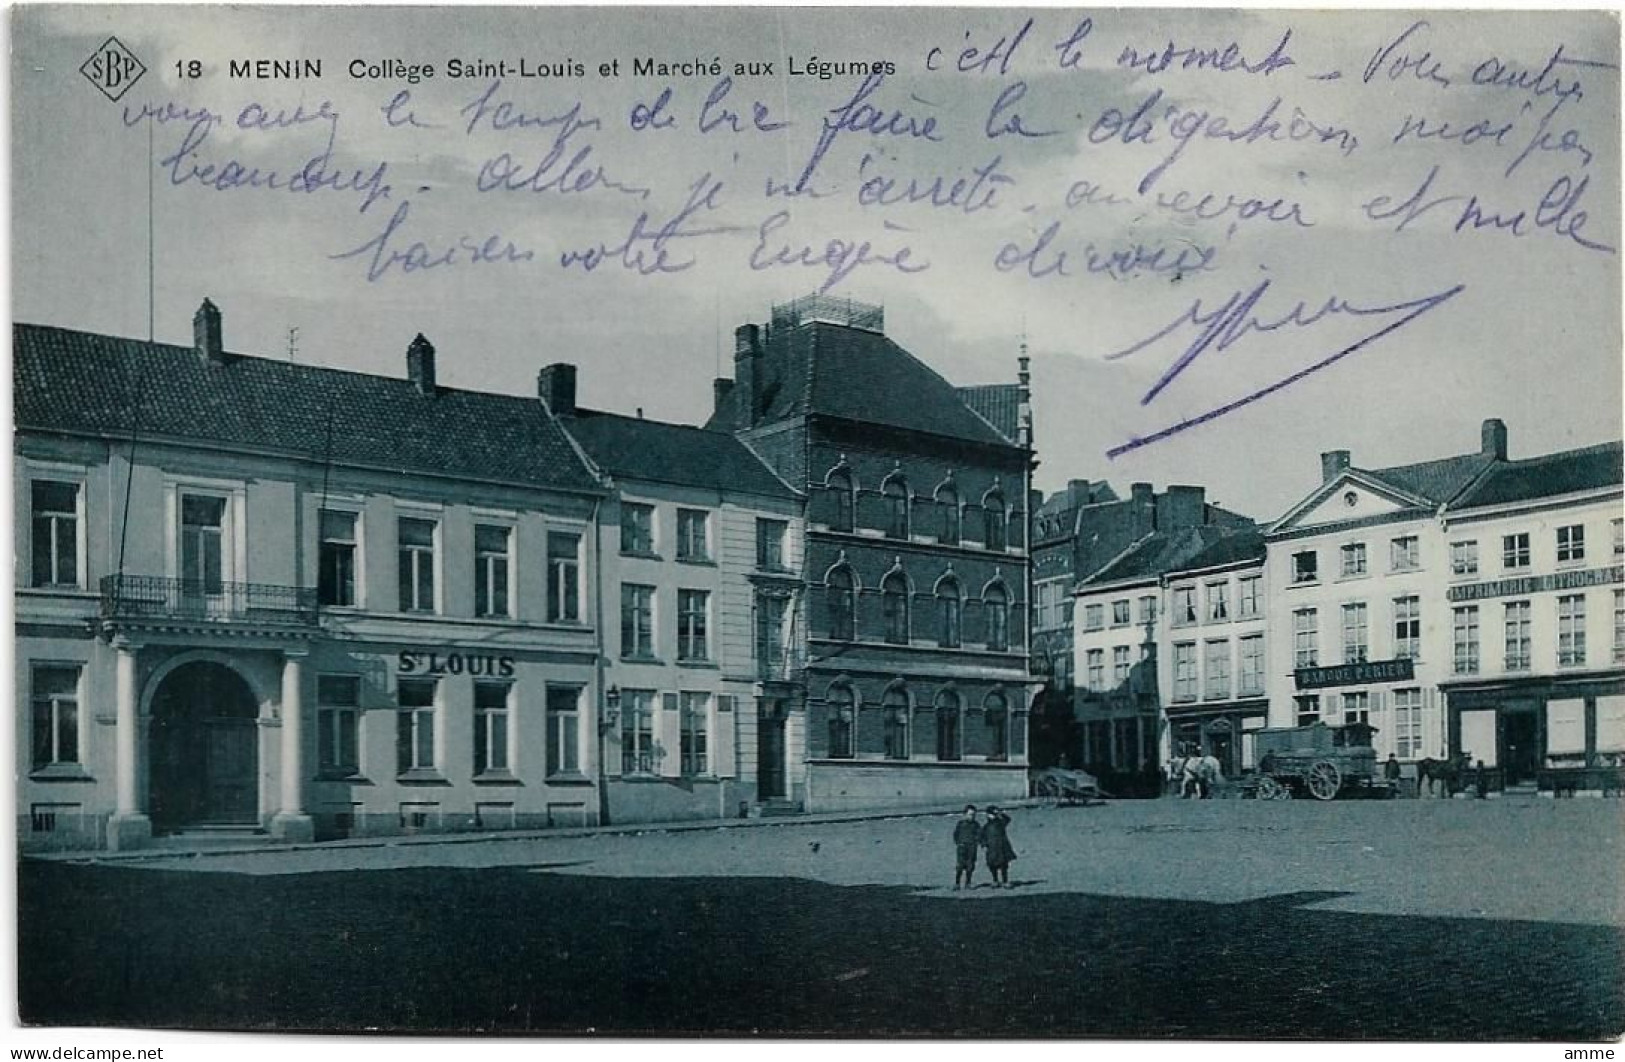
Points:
[672,454]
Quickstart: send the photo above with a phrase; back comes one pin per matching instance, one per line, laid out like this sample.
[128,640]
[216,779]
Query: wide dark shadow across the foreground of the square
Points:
[527,951]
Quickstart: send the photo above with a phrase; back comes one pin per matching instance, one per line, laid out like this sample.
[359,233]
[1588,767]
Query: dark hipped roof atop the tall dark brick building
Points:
[820,368]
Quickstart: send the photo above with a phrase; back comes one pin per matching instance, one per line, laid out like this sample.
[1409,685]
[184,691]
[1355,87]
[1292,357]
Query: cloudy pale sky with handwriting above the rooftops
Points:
[1278,233]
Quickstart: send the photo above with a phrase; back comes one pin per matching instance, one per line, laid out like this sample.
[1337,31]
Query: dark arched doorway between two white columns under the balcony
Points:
[206,749]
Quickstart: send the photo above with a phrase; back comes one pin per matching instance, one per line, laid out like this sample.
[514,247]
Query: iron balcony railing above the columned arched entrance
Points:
[154,597]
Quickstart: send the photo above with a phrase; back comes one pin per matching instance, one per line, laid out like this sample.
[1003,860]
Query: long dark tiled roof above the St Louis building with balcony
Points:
[82,382]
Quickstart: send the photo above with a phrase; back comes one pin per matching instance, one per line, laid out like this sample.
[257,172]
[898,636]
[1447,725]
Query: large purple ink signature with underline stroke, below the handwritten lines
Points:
[1236,319]
